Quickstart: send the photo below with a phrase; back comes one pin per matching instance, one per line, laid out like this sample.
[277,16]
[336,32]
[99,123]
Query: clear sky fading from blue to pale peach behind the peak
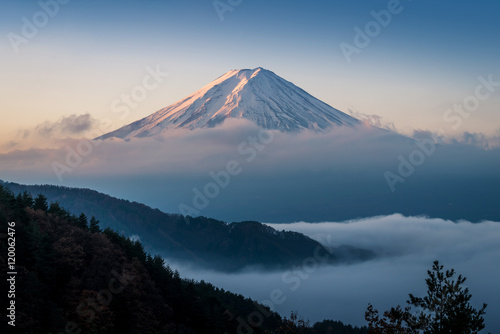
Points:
[427,57]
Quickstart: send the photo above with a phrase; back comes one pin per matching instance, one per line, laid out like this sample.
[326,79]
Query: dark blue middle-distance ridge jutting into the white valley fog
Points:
[230,247]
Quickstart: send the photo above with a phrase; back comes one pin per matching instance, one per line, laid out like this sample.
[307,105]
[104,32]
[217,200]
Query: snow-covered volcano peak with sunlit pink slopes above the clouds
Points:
[258,95]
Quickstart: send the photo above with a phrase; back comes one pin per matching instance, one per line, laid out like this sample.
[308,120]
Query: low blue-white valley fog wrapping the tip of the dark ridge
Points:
[406,248]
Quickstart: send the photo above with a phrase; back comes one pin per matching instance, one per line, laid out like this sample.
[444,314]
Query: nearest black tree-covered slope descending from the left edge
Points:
[72,277]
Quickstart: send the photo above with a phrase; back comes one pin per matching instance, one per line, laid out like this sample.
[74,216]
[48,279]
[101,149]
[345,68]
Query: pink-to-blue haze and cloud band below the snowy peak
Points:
[240,172]
